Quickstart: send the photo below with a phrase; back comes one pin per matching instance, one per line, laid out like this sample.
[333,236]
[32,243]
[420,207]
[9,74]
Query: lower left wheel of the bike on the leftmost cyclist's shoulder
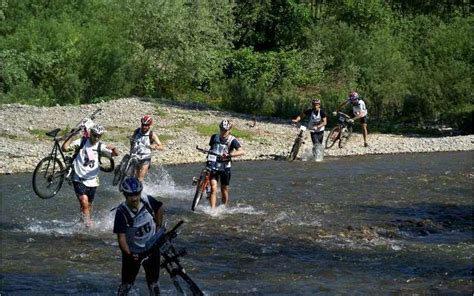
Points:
[48,177]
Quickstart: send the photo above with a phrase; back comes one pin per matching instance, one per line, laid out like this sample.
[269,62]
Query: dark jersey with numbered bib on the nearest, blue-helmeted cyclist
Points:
[139,227]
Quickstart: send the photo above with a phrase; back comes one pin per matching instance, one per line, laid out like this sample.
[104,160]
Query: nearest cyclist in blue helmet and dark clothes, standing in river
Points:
[136,222]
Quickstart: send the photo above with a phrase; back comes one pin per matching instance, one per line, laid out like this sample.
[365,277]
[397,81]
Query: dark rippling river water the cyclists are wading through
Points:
[389,224]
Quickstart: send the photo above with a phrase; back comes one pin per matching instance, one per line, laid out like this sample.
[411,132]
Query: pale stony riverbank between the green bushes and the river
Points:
[181,128]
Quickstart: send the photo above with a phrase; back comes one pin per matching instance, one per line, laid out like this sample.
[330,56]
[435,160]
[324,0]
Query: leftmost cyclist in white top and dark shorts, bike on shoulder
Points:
[86,167]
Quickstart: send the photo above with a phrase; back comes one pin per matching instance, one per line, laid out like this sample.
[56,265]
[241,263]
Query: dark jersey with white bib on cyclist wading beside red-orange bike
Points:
[221,147]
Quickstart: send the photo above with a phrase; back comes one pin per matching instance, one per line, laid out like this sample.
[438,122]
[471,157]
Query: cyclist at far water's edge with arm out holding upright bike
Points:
[317,122]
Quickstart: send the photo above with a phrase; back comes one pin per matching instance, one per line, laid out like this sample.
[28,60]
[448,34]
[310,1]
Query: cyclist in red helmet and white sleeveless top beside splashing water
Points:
[143,141]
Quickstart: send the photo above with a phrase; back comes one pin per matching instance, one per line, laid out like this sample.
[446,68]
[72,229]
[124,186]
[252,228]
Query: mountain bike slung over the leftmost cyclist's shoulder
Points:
[51,171]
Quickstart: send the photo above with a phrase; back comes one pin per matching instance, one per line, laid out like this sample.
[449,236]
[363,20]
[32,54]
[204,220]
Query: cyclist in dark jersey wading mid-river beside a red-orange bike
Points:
[226,146]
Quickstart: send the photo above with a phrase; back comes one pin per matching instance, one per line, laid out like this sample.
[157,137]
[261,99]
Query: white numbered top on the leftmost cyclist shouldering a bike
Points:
[86,163]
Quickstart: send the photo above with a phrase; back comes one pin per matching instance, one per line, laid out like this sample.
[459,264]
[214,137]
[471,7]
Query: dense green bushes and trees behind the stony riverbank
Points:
[411,60]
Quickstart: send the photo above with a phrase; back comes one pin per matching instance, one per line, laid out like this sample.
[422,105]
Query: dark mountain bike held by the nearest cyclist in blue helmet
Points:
[171,263]
